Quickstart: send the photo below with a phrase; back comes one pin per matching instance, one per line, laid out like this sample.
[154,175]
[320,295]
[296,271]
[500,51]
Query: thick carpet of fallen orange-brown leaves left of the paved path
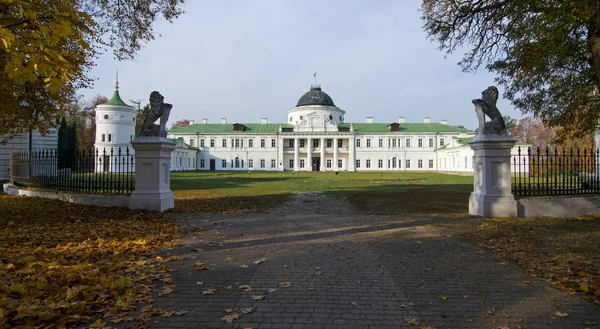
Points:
[62,264]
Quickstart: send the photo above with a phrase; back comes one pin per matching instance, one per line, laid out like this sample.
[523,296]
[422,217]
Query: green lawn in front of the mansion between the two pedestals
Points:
[372,192]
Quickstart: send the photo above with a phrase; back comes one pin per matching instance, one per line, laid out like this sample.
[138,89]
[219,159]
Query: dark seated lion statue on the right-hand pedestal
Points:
[487,106]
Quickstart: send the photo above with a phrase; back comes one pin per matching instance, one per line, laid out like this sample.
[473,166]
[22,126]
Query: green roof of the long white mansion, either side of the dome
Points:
[271,128]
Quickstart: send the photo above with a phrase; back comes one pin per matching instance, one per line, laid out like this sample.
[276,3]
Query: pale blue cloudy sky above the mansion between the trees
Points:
[245,60]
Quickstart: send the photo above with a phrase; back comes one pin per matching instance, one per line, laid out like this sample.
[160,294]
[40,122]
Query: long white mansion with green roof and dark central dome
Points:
[316,138]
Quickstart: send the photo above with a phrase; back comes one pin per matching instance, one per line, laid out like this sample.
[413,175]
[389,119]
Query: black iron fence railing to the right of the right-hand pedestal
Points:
[553,171]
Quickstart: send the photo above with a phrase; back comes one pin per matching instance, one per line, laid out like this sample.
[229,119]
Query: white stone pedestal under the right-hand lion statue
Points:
[492,195]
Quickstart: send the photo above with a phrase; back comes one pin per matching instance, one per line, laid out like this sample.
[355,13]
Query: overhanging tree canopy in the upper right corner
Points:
[546,53]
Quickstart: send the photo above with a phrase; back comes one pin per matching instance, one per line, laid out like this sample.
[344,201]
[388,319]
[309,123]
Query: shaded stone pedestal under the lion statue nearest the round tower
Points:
[152,174]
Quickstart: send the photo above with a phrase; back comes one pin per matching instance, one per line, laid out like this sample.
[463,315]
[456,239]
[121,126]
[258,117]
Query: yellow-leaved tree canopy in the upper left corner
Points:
[48,47]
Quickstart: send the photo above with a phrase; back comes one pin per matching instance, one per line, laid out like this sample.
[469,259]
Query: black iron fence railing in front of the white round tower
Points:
[110,170]
